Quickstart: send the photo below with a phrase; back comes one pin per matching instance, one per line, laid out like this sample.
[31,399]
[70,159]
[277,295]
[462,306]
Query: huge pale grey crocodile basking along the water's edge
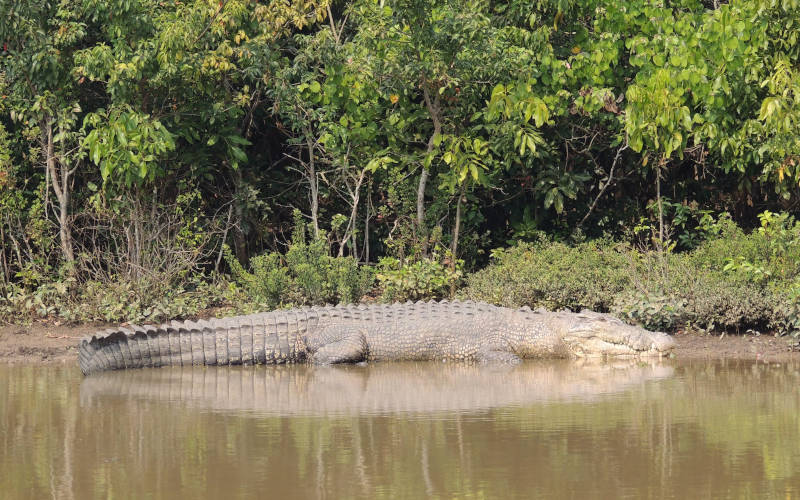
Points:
[442,331]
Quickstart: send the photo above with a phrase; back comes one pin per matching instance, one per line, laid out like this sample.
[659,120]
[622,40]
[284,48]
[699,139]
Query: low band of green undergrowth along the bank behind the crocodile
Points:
[731,281]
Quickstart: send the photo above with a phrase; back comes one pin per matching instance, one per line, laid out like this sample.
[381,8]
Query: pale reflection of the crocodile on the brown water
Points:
[375,389]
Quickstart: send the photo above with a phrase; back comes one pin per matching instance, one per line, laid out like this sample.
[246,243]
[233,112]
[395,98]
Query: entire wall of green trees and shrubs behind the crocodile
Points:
[153,154]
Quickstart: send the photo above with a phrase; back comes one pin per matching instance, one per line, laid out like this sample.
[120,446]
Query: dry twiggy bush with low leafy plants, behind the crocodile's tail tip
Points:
[135,261]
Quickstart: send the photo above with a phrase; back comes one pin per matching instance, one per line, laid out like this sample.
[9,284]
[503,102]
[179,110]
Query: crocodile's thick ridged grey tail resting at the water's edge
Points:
[229,341]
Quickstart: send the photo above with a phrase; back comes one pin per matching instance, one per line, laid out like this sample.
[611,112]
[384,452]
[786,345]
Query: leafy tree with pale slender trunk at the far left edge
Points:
[39,40]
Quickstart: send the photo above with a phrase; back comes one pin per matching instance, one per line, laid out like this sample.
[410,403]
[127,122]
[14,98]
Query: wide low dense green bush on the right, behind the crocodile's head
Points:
[732,281]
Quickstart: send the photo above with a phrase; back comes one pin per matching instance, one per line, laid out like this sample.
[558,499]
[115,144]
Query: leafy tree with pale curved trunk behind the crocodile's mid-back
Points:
[435,58]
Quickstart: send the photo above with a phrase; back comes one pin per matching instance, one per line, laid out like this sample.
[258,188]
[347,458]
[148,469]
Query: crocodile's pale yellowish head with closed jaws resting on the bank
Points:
[591,334]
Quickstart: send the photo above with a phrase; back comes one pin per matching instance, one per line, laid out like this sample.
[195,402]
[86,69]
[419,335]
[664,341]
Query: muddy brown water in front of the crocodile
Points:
[539,430]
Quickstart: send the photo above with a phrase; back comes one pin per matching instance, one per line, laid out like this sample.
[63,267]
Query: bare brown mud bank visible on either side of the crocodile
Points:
[53,343]
